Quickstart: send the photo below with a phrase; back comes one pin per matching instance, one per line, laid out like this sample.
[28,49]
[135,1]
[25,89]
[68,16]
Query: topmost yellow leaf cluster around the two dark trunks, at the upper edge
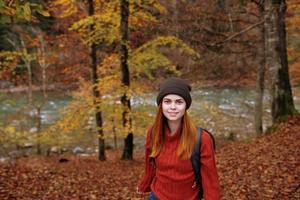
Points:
[106,20]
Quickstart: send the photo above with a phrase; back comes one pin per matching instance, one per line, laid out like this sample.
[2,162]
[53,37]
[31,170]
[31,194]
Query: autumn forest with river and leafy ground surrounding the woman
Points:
[79,79]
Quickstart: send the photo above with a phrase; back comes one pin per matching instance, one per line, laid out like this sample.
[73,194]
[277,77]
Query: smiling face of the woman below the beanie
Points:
[173,107]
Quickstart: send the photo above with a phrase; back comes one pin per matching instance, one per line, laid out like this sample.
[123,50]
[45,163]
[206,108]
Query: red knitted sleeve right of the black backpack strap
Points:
[209,175]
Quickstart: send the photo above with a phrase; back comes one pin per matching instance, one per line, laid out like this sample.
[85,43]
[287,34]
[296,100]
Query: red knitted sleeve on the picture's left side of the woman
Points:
[149,171]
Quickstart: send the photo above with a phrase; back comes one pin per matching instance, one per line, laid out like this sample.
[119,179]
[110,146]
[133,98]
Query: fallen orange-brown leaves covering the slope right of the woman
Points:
[266,168]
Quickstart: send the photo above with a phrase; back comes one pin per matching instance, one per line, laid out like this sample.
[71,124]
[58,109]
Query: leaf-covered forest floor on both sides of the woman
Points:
[264,168]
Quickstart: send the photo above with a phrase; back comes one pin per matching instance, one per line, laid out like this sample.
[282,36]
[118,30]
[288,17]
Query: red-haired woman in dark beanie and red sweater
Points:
[169,144]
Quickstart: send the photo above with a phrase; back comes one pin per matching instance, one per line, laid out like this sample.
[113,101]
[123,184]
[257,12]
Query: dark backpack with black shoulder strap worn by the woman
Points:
[195,158]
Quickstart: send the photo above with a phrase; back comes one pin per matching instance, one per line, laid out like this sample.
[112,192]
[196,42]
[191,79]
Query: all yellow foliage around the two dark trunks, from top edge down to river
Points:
[147,61]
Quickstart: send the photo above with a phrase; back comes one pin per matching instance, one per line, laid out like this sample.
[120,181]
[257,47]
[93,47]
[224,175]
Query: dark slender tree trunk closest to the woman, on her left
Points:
[125,99]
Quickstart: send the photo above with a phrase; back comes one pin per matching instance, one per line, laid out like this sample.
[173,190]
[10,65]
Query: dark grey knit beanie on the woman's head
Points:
[175,86]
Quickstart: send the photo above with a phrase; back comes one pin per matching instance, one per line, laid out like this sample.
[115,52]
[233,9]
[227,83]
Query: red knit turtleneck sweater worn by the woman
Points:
[173,178]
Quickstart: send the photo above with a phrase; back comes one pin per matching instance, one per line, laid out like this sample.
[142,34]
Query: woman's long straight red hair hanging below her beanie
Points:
[187,137]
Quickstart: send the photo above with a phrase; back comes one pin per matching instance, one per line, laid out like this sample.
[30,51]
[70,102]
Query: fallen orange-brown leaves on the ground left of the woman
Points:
[80,178]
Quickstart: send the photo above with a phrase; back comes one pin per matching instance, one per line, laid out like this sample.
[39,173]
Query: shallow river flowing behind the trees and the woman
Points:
[222,111]
